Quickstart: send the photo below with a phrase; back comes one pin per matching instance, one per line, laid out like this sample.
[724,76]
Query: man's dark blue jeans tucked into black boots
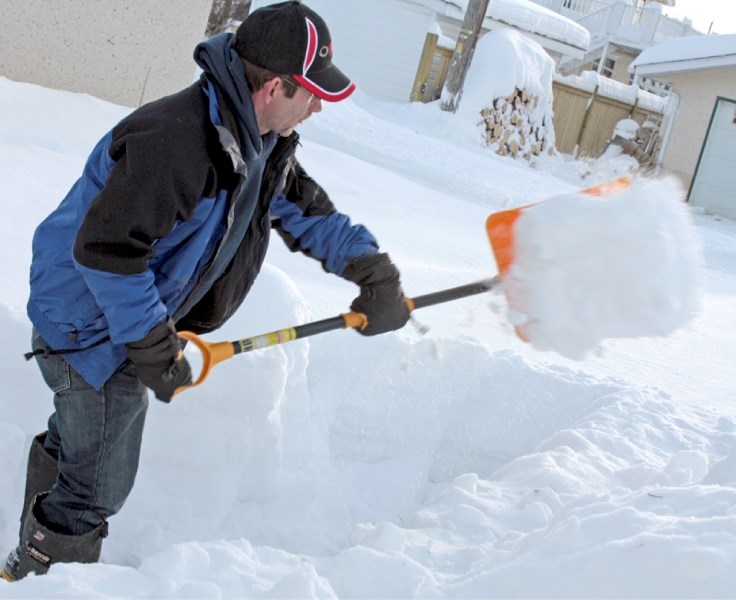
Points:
[96,438]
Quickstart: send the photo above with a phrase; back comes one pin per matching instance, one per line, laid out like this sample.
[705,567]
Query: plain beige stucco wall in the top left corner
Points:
[125,52]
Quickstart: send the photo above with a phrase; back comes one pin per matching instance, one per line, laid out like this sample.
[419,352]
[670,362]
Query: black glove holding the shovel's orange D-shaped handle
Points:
[159,361]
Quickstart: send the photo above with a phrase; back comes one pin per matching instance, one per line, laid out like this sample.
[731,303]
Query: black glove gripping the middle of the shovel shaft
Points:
[381,298]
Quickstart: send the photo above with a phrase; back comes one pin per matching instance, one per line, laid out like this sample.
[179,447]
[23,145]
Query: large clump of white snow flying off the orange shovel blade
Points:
[590,268]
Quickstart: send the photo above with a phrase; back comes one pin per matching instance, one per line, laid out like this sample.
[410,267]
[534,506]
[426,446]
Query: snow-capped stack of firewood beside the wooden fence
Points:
[510,85]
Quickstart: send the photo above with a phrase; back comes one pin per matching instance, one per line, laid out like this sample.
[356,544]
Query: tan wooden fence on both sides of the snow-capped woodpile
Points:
[583,121]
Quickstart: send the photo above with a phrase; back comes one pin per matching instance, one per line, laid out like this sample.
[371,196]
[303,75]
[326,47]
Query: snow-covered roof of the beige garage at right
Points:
[687,54]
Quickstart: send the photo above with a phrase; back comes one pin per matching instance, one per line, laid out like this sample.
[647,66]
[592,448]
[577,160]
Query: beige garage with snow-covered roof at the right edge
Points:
[700,132]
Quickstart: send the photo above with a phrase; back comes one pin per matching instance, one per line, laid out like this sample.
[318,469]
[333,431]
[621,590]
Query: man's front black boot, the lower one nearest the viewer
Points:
[40,547]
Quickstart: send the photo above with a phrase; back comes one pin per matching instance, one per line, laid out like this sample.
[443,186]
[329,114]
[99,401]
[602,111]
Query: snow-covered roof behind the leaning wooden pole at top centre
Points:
[527,16]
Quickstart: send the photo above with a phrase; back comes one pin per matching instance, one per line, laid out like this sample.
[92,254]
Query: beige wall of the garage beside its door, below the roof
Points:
[698,91]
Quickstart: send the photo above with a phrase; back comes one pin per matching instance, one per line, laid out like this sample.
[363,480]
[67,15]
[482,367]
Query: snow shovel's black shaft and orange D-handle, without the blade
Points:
[214,353]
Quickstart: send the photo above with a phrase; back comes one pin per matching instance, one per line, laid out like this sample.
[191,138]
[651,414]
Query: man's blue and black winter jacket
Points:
[160,224]
